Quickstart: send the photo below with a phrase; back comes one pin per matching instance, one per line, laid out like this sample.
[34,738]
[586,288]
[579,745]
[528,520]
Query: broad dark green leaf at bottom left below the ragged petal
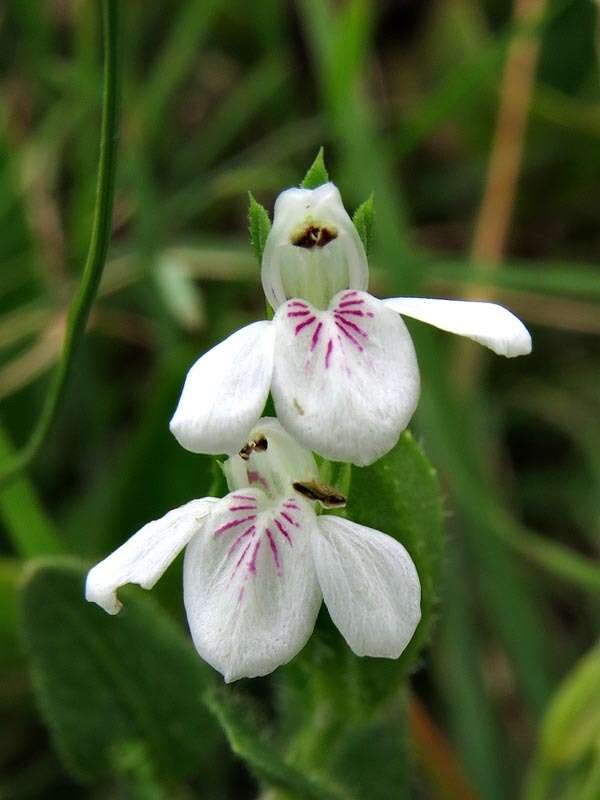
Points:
[105,682]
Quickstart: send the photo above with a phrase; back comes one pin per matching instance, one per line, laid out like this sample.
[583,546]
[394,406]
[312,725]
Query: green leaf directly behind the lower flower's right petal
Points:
[400,495]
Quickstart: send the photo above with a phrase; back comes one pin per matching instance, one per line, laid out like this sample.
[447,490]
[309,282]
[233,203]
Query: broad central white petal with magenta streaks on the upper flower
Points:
[346,380]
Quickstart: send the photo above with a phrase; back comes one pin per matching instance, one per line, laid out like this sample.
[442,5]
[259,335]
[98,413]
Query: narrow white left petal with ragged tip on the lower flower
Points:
[146,555]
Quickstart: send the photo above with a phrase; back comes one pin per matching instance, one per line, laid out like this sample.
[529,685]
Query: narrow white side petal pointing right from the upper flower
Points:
[487,323]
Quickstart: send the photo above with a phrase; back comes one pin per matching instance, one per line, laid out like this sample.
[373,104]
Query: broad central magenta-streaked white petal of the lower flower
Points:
[250,588]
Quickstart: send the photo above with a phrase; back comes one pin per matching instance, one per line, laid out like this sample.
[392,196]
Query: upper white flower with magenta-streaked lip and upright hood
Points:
[340,364]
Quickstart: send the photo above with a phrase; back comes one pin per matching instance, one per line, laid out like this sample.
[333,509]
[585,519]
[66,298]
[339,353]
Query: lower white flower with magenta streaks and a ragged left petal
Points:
[259,562]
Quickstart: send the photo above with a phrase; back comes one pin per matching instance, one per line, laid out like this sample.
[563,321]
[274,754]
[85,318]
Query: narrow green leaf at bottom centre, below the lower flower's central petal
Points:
[262,757]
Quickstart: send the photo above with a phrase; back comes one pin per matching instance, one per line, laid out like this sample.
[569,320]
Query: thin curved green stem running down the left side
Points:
[99,242]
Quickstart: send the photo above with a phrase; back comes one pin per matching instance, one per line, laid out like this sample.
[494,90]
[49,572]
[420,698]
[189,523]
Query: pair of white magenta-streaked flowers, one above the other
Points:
[342,370]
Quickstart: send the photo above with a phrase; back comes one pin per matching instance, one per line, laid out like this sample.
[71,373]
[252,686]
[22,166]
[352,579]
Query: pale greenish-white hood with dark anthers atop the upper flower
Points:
[313,249]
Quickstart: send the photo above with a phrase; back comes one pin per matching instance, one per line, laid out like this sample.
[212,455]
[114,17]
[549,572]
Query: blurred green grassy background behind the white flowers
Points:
[477,126]
